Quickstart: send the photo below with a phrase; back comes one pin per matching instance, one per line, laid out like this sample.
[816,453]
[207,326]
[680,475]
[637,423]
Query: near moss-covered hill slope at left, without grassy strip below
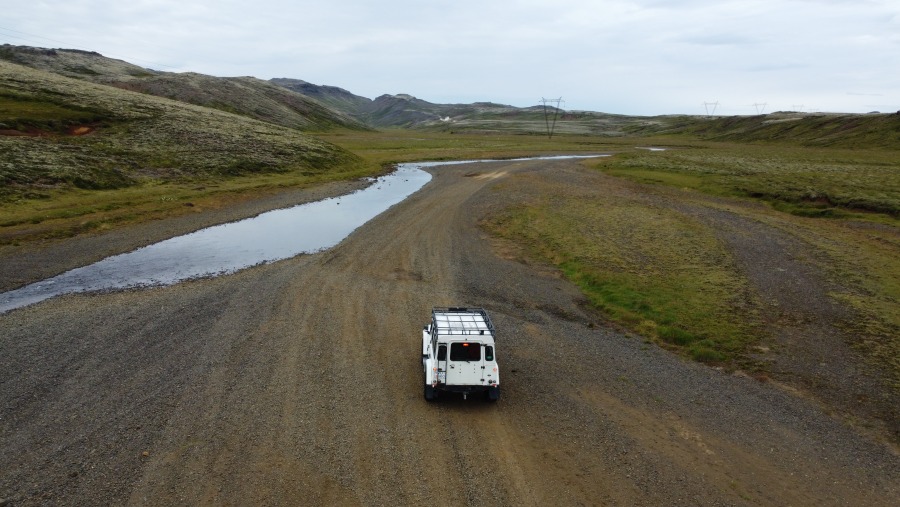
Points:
[60,131]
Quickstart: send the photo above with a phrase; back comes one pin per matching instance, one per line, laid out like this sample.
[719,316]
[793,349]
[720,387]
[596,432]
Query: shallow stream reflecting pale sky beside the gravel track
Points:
[223,249]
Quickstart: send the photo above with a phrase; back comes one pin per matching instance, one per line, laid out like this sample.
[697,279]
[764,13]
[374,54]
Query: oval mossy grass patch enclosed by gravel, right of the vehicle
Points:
[658,273]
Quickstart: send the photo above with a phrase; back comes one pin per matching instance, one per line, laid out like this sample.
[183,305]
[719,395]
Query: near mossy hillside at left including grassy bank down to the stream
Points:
[134,141]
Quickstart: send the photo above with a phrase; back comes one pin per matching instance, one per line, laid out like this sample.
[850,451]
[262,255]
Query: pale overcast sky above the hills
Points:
[642,57]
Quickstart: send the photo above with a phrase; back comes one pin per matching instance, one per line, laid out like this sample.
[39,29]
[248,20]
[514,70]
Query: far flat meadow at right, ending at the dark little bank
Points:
[814,182]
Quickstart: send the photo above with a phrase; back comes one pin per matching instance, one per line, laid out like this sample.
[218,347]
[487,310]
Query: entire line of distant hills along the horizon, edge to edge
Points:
[304,106]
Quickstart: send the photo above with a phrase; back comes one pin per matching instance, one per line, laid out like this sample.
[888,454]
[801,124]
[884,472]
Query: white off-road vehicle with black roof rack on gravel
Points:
[458,353]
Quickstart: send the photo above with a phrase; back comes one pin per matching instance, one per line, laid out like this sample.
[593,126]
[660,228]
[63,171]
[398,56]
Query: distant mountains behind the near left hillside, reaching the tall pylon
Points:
[288,102]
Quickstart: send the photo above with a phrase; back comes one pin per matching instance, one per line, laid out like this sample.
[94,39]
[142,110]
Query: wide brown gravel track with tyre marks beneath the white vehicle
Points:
[299,383]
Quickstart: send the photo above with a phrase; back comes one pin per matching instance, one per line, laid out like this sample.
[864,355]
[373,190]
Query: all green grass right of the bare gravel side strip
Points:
[844,204]
